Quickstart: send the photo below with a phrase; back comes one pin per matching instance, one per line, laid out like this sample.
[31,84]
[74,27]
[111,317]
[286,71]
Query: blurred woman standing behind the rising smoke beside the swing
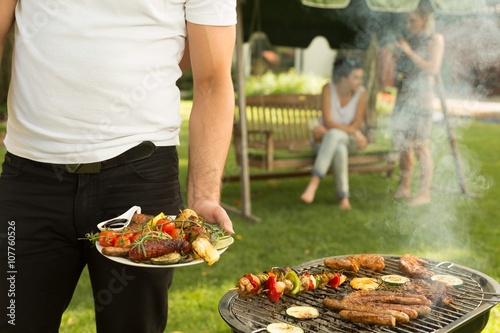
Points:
[419,61]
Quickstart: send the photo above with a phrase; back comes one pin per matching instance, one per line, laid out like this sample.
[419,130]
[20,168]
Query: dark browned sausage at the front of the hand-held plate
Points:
[155,248]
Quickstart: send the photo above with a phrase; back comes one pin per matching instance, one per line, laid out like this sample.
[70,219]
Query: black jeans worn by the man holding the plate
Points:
[45,212]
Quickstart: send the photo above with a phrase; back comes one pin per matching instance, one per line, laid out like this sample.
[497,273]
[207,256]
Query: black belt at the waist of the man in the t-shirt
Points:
[139,152]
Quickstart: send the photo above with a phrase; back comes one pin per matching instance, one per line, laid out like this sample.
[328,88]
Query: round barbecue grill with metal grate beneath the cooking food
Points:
[469,312]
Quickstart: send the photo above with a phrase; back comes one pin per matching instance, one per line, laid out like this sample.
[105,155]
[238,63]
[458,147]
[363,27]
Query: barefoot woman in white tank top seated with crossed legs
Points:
[344,106]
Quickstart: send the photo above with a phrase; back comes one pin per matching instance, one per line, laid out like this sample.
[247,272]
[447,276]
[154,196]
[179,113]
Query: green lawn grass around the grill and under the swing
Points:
[462,229]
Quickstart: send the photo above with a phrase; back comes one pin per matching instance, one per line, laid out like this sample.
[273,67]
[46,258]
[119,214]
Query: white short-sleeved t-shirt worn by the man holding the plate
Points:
[93,78]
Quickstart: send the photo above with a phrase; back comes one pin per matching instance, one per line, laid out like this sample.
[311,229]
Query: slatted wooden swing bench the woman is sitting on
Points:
[283,123]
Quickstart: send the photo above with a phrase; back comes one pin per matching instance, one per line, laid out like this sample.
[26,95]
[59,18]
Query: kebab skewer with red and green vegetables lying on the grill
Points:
[279,281]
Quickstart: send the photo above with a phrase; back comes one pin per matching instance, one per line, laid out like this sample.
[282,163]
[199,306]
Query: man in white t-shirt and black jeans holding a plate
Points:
[93,125]
